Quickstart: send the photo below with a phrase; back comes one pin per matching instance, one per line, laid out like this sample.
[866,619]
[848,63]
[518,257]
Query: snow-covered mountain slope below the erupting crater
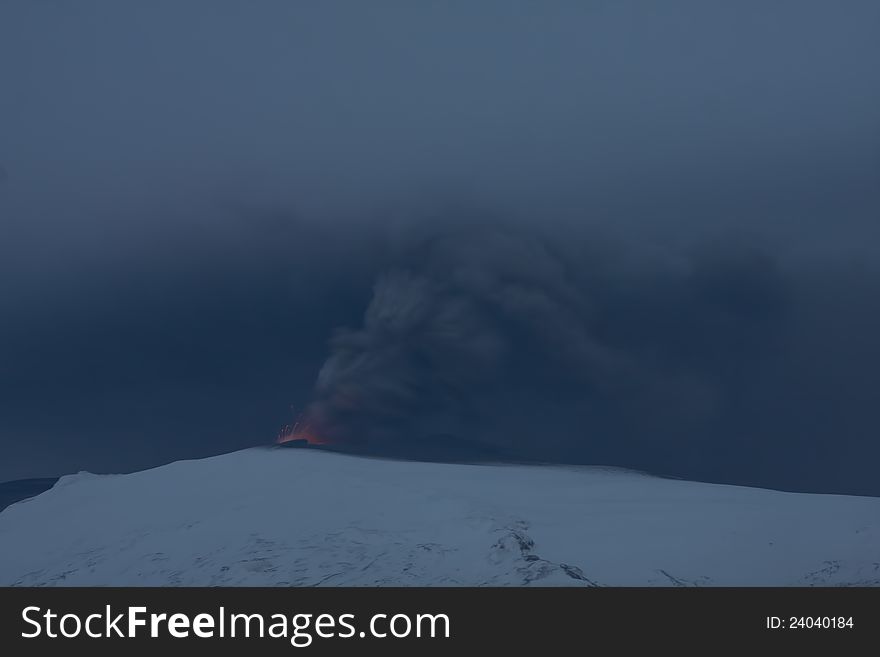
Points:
[303,517]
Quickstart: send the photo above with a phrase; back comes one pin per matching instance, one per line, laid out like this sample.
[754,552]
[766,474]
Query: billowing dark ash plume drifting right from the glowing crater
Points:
[512,344]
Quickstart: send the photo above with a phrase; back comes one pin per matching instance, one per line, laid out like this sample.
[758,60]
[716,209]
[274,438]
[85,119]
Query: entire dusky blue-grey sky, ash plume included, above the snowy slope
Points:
[603,232]
